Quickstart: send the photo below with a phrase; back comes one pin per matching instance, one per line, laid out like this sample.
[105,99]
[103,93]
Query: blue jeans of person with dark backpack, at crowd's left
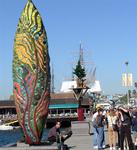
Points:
[100,137]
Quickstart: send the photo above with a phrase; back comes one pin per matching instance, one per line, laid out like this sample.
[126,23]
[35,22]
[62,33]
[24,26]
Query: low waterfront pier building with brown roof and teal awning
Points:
[62,106]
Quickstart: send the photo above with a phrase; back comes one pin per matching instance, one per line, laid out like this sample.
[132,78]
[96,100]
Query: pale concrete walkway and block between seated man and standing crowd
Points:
[81,140]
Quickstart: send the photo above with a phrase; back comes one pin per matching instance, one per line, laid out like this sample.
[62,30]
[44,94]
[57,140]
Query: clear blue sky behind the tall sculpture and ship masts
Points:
[107,30]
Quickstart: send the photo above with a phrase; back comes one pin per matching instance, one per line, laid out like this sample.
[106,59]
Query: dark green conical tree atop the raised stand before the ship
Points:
[79,71]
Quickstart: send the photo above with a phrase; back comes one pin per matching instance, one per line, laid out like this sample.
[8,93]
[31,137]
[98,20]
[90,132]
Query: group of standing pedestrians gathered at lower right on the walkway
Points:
[121,125]
